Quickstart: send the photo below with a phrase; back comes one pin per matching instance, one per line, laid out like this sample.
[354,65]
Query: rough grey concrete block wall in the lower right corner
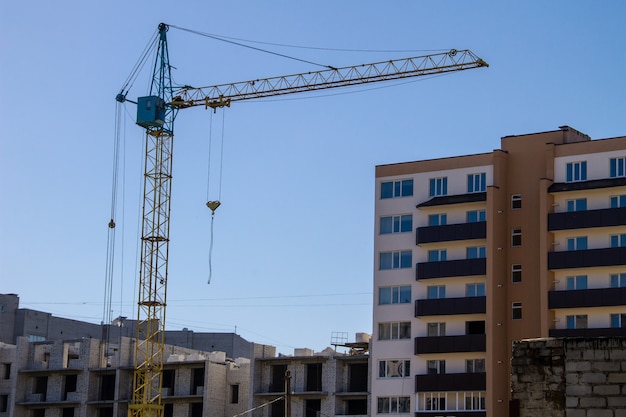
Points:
[569,378]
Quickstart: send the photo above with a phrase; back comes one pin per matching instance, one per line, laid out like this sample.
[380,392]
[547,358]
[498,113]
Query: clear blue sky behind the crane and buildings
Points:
[293,240]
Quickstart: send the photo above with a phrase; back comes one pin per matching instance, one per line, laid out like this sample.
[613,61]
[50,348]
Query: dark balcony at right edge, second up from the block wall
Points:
[597,297]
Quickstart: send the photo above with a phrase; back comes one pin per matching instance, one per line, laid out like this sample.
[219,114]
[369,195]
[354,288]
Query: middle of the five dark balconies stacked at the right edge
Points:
[586,258]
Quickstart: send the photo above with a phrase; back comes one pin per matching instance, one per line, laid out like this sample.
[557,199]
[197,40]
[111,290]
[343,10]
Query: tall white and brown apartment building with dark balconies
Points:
[474,252]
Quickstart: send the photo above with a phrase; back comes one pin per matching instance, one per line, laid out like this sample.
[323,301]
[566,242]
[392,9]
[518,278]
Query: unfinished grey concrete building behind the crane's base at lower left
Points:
[75,378]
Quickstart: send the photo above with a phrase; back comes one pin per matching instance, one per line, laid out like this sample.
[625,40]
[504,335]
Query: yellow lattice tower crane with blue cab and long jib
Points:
[156,113]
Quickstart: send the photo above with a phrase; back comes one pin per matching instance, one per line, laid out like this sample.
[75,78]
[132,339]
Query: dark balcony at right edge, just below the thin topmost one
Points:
[586,219]
